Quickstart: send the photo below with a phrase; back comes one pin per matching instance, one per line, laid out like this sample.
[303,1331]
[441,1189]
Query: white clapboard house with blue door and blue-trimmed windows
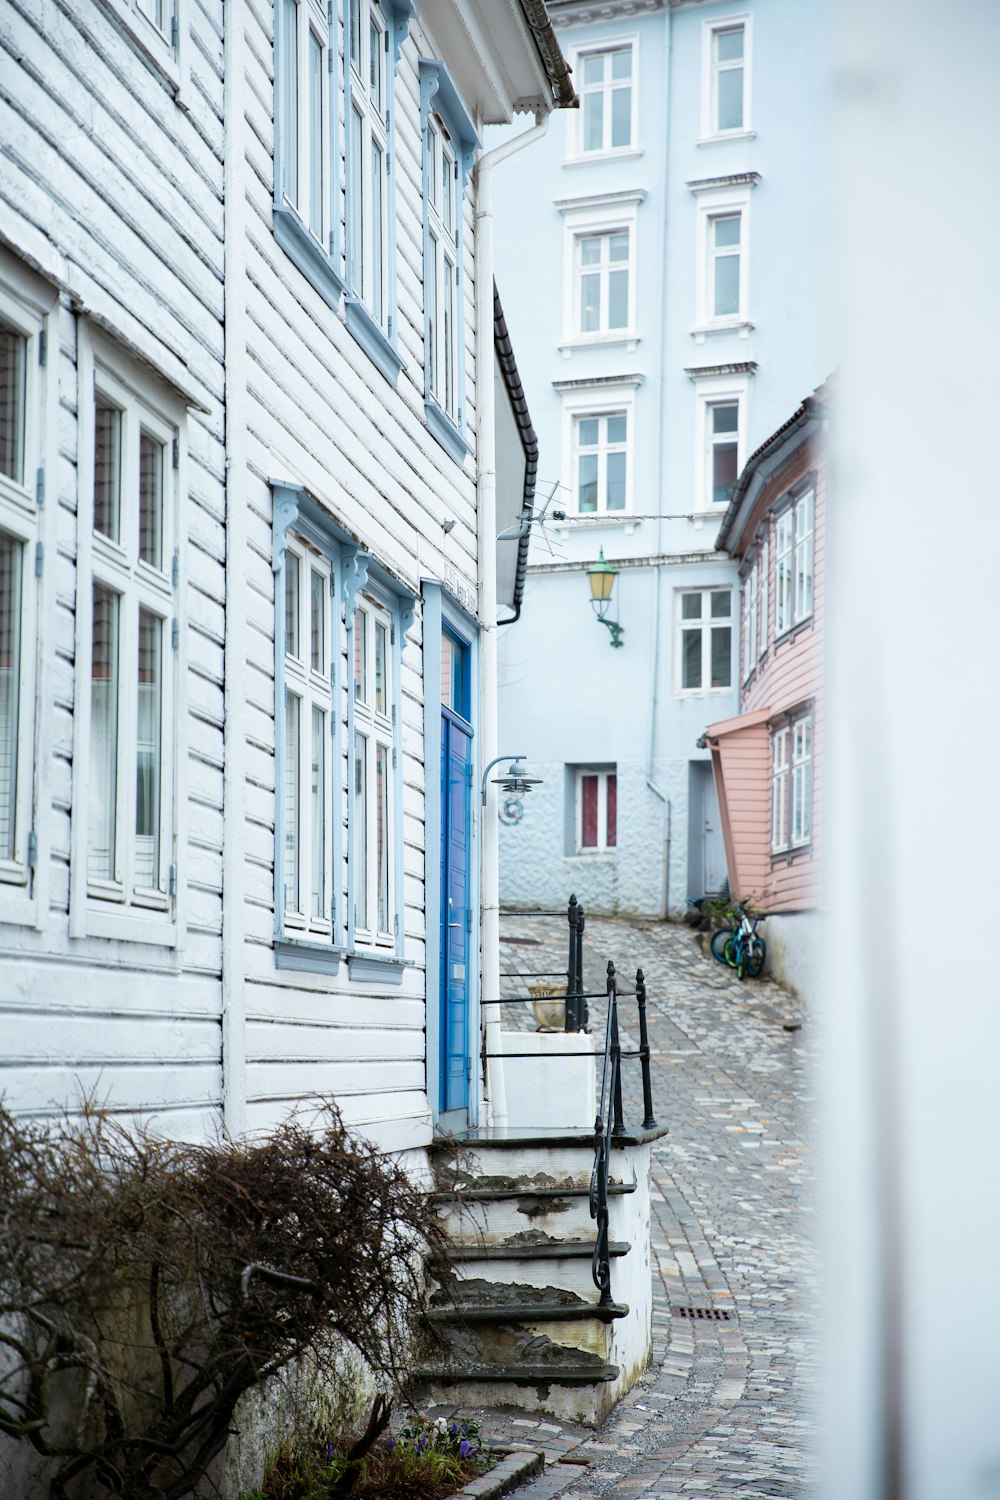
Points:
[248,551]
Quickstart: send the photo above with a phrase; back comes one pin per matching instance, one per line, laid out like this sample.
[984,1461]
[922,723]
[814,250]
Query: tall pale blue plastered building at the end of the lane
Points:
[663,251]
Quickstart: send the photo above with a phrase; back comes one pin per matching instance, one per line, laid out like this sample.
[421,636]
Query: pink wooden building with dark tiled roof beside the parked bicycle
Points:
[768,761]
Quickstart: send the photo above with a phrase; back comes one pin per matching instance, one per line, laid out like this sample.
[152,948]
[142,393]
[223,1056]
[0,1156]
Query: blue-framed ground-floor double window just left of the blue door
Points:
[328,590]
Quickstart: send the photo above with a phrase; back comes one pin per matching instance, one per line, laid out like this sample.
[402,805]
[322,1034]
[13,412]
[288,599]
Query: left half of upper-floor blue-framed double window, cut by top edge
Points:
[307,211]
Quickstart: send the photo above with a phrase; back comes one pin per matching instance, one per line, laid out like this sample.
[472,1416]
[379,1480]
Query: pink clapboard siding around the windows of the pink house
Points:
[786,679]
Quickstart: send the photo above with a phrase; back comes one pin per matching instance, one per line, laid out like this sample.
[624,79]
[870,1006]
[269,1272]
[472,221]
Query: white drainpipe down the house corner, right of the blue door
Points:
[487,511]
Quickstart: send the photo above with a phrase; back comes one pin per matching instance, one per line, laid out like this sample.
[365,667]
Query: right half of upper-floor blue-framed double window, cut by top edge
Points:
[374,37]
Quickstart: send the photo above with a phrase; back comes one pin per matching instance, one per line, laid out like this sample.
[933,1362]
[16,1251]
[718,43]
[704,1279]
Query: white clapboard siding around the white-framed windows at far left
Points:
[113,190]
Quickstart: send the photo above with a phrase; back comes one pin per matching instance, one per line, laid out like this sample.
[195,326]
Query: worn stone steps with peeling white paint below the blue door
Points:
[518,1316]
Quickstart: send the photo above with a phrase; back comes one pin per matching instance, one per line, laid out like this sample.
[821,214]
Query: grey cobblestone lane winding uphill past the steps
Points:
[725,1409]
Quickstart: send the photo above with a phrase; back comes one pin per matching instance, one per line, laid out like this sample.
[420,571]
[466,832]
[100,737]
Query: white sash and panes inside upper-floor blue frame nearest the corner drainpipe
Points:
[442,274]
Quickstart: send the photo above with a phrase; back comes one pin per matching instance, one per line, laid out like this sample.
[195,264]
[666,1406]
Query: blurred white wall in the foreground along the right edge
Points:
[912,1120]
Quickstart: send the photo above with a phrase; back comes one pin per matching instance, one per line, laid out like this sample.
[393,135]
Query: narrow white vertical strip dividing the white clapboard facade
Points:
[236,626]
